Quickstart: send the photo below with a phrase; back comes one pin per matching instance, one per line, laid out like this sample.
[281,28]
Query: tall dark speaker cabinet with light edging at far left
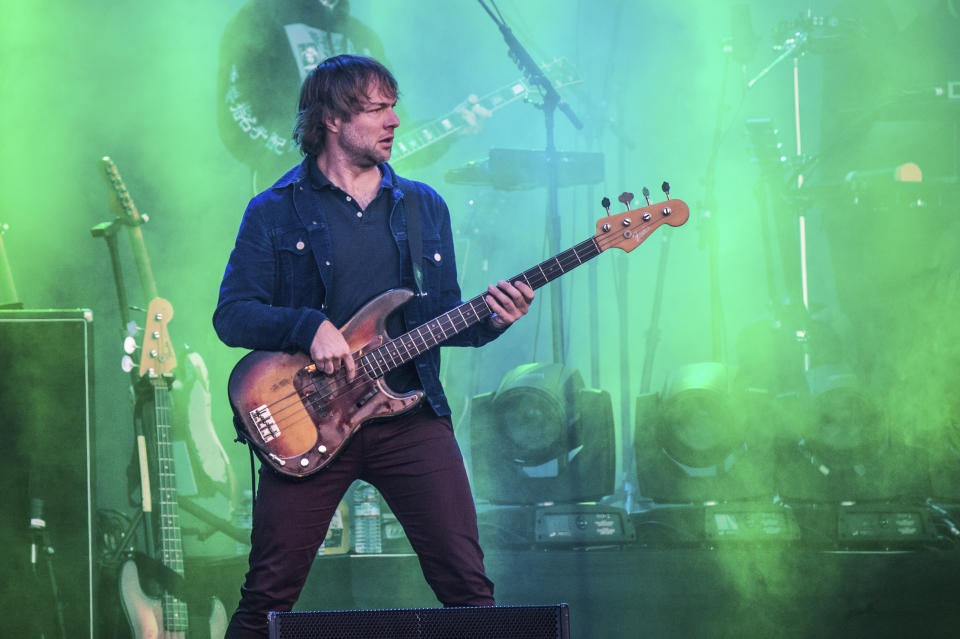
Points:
[46,393]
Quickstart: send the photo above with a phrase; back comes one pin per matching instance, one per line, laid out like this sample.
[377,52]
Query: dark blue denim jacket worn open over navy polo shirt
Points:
[273,292]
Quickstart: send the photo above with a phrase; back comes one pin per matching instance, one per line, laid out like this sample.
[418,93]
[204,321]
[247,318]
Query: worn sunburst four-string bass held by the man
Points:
[297,418]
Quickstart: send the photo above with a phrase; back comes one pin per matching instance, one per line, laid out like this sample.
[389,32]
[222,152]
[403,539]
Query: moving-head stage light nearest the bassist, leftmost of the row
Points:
[542,437]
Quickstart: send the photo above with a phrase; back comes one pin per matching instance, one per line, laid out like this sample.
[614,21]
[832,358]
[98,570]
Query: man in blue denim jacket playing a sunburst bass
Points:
[327,238]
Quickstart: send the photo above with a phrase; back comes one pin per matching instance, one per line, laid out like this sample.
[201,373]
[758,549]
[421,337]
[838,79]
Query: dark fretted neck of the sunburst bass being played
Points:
[404,348]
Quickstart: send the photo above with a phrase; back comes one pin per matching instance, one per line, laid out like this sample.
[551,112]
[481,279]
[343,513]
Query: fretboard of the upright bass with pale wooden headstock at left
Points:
[171,545]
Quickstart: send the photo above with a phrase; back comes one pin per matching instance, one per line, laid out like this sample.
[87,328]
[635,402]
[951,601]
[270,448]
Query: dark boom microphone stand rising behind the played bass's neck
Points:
[551,102]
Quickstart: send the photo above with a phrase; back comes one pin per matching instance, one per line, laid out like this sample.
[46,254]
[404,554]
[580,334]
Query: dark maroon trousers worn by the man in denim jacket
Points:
[415,463]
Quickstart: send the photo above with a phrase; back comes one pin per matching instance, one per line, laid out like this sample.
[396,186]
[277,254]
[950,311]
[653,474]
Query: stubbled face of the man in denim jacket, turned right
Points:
[367,138]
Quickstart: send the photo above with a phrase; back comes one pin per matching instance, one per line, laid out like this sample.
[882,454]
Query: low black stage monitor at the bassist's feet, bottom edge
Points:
[483,622]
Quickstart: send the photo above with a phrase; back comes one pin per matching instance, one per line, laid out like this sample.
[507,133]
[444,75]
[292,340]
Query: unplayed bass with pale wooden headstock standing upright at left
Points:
[165,617]
